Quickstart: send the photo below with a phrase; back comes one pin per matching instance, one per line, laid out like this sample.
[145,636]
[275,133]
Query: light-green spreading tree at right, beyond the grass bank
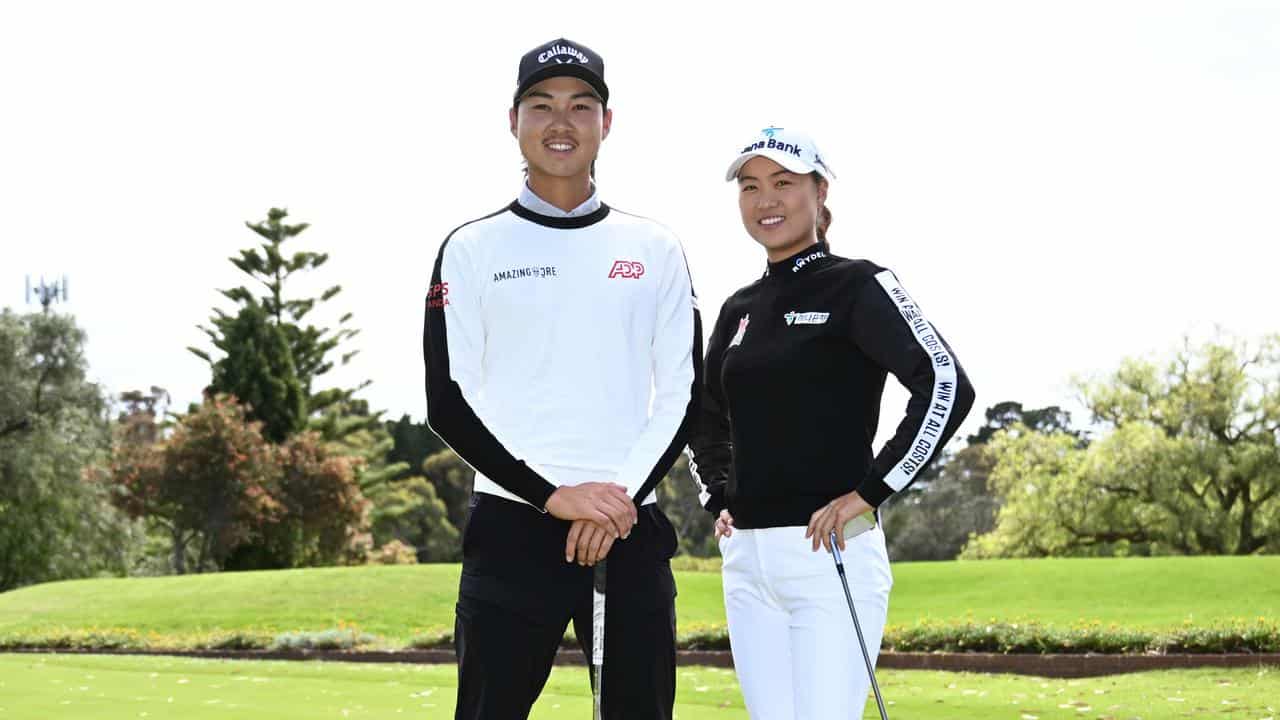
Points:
[1191,466]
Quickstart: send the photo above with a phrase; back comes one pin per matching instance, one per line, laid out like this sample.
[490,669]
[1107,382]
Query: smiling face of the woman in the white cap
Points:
[780,208]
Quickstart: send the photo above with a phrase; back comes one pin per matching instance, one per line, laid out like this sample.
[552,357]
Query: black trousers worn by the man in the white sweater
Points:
[518,596]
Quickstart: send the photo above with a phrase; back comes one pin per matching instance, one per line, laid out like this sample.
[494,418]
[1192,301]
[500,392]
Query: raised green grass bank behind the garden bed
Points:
[397,603]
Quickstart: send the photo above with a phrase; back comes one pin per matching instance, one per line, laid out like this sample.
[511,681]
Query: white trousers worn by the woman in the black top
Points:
[796,649]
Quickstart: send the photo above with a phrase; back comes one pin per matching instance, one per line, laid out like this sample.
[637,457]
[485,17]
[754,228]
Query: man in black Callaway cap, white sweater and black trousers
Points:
[563,348]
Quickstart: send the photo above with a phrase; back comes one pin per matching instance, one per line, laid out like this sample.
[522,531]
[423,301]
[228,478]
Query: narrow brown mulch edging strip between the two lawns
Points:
[1039,666]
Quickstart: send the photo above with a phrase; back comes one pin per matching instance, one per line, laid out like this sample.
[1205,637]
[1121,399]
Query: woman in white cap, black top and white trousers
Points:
[796,370]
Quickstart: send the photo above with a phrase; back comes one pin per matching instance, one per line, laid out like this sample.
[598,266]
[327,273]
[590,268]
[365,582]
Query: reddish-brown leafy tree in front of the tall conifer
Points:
[232,500]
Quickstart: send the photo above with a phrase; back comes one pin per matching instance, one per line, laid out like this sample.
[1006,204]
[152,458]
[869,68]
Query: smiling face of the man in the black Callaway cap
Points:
[560,125]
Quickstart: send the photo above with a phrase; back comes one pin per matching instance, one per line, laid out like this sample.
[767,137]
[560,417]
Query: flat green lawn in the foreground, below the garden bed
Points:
[68,687]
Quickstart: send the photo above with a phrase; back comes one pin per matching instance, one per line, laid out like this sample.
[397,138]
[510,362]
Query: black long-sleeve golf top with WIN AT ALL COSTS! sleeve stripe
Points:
[794,376]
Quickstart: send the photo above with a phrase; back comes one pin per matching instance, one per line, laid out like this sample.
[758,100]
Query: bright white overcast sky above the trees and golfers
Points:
[1059,185]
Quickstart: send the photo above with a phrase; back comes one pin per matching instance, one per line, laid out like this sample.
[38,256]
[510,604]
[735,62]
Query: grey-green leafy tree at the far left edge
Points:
[54,522]
